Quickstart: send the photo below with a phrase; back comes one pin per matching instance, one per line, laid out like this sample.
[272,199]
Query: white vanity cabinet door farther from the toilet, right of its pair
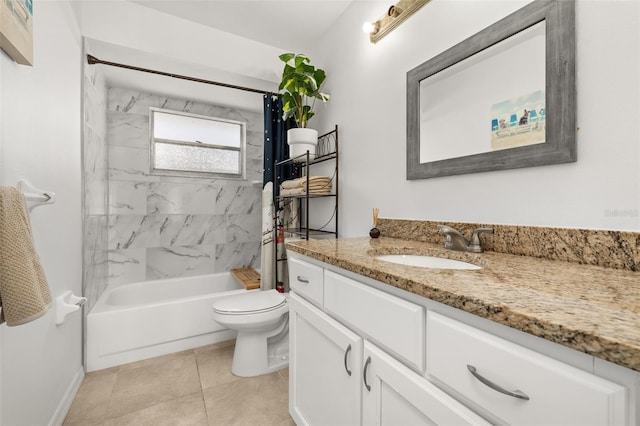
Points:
[395,395]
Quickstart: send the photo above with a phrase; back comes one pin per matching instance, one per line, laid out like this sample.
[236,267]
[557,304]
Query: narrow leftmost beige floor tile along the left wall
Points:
[92,401]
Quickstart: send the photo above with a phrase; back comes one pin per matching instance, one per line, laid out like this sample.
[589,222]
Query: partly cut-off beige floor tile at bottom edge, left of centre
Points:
[188,410]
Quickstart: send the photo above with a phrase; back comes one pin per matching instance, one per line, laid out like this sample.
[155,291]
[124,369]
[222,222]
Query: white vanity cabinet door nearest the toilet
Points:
[324,368]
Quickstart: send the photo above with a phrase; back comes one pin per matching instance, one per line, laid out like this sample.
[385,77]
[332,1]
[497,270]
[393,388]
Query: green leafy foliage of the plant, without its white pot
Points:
[301,84]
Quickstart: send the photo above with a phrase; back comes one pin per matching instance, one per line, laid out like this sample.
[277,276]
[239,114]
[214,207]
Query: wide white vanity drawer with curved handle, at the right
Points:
[558,393]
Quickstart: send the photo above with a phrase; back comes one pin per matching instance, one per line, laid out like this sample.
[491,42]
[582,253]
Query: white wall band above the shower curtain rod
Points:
[128,24]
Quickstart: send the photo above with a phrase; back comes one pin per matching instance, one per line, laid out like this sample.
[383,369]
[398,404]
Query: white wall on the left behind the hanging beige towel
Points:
[40,141]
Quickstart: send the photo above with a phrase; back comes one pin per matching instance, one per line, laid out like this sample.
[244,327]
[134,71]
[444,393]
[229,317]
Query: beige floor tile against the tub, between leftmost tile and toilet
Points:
[154,383]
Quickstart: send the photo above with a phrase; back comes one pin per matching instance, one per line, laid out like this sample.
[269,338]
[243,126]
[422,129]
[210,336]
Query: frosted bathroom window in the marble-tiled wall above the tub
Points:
[193,145]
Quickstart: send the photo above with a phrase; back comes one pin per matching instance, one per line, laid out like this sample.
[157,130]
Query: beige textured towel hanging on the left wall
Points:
[24,291]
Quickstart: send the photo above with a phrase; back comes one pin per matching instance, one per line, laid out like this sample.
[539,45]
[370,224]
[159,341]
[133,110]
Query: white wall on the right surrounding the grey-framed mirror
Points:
[367,85]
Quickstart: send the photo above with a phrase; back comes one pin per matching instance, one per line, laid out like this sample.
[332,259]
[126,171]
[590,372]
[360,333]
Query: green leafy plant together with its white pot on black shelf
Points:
[301,84]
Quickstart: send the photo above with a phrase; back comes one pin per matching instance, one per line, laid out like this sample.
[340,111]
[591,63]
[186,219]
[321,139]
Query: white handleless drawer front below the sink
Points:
[393,323]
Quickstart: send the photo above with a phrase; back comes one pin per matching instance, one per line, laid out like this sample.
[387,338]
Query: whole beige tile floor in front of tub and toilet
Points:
[193,387]
